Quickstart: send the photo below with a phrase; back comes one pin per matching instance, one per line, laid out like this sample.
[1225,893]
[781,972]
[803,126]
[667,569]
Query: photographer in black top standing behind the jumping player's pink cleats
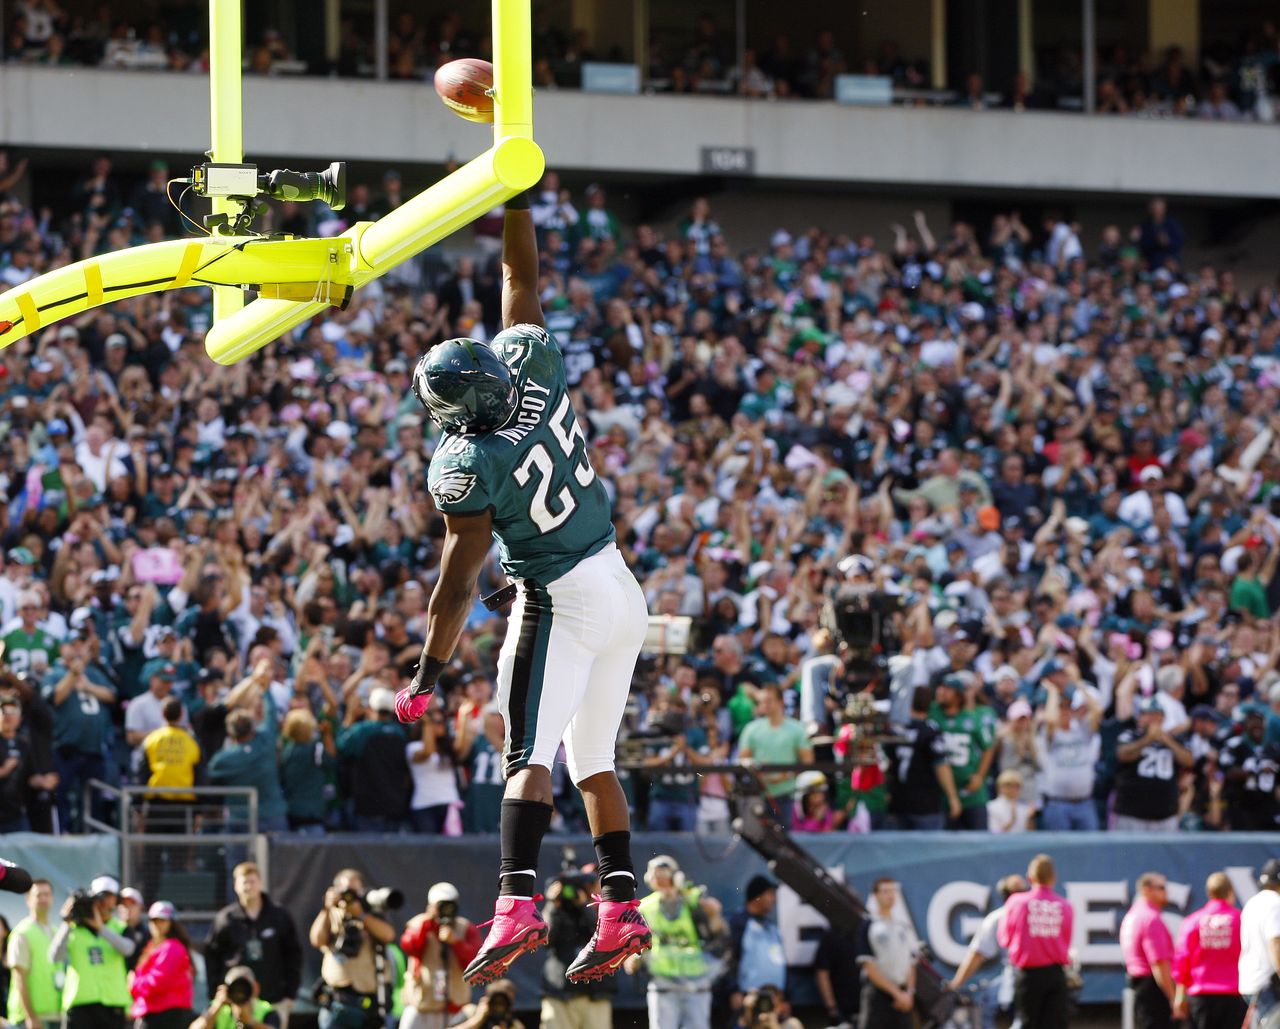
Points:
[570,925]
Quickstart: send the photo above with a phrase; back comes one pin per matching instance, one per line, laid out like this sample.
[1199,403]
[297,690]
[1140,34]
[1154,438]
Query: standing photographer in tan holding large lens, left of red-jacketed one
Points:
[355,966]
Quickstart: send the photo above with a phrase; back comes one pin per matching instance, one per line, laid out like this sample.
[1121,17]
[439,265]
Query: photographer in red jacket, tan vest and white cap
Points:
[440,944]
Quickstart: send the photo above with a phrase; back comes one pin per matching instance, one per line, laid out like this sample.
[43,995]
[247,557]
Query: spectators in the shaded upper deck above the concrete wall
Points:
[1227,84]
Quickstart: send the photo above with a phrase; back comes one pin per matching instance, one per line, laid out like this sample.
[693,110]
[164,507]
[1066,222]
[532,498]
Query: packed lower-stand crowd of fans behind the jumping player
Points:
[1054,468]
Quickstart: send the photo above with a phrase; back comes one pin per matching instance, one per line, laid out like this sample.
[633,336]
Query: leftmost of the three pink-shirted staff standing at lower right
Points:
[1037,932]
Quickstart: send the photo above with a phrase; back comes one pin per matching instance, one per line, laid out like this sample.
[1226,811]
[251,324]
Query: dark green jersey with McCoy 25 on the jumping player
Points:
[550,510]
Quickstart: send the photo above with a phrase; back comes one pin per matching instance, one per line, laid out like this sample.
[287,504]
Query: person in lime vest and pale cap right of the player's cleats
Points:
[688,930]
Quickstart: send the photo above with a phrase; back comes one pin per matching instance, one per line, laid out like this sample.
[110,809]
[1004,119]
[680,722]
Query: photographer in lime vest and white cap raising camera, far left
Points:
[94,948]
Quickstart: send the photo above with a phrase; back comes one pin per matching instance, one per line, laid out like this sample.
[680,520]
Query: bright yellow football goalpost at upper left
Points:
[295,280]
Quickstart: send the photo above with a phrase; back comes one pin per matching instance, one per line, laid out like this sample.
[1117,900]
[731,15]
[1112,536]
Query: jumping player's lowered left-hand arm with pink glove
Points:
[467,546]
